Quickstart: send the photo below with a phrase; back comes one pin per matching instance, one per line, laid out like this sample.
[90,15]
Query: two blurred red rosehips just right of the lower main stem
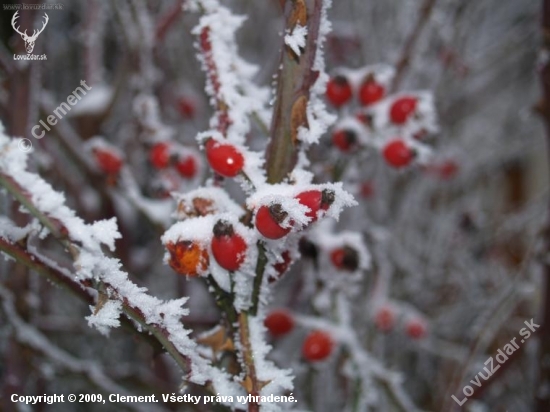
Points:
[317,345]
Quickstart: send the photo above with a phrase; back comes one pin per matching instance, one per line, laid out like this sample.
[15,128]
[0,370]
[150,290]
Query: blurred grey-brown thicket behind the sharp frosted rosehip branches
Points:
[456,240]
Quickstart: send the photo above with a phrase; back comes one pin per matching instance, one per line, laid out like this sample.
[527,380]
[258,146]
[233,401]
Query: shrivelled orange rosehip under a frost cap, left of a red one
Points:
[187,258]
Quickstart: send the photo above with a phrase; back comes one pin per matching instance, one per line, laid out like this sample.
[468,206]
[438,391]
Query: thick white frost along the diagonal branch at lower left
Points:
[92,264]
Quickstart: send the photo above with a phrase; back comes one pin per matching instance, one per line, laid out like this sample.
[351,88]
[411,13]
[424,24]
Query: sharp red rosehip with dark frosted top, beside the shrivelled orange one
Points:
[228,248]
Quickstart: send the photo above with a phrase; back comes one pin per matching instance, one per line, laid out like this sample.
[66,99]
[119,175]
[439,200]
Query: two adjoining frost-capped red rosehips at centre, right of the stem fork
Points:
[270,218]
